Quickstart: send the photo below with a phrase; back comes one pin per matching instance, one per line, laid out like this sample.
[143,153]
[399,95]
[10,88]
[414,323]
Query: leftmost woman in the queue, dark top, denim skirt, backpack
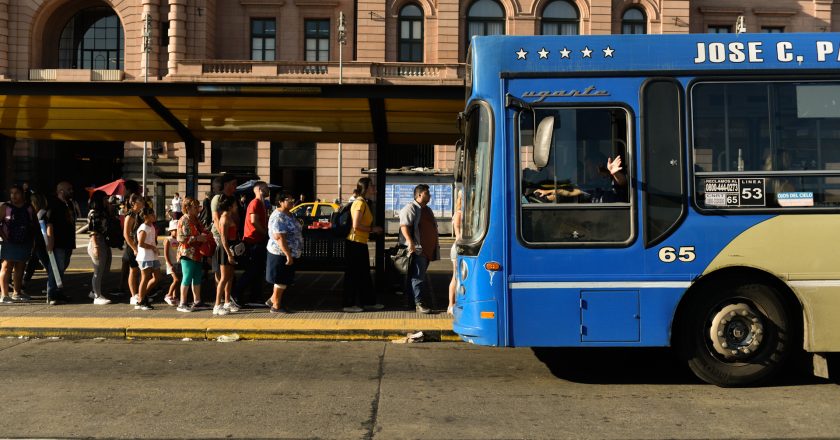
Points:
[17,231]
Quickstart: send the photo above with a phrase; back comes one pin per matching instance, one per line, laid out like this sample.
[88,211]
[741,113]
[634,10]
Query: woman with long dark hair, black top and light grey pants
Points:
[99,223]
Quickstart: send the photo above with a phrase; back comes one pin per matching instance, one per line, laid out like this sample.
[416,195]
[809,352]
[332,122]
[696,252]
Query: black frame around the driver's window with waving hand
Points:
[632,203]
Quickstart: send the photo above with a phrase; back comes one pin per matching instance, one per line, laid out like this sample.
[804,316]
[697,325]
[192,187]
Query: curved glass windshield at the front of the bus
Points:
[477,165]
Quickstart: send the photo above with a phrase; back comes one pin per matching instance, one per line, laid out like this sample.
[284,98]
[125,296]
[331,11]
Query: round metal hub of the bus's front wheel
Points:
[736,331]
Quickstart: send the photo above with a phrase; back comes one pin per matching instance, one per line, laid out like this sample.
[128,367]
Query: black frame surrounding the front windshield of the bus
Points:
[473,246]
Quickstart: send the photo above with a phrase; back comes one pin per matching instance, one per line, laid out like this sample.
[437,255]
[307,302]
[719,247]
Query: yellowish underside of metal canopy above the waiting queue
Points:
[182,112]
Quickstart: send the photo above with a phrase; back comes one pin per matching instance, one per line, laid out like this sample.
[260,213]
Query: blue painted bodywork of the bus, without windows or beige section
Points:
[612,295]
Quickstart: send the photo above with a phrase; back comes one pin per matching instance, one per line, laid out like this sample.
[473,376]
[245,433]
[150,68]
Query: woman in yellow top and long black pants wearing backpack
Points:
[358,288]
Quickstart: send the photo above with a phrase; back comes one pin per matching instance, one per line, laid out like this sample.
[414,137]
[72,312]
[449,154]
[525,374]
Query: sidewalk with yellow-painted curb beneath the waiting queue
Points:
[315,300]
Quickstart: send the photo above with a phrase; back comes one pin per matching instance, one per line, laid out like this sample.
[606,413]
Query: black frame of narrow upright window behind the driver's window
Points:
[643,160]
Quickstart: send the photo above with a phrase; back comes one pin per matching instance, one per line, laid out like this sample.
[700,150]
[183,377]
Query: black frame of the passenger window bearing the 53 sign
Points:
[693,175]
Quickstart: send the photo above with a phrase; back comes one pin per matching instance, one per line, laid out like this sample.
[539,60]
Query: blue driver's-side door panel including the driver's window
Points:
[576,261]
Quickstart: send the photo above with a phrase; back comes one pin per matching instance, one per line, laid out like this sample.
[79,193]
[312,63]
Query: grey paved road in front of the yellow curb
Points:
[176,389]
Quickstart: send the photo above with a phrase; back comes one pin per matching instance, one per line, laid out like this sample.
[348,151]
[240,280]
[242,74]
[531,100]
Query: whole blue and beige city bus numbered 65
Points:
[654,191]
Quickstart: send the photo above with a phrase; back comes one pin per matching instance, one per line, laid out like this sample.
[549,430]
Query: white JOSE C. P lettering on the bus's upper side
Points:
[752,52]
